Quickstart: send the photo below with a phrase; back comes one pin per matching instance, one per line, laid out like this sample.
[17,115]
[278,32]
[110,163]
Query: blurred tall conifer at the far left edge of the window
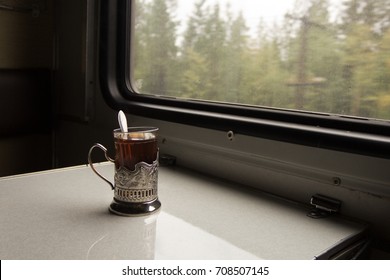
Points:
[157,62]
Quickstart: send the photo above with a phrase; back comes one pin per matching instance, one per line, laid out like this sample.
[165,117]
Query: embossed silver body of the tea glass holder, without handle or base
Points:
[139,185]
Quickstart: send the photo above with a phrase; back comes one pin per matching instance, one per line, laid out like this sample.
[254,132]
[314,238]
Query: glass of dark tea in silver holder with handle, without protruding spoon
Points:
[136,171]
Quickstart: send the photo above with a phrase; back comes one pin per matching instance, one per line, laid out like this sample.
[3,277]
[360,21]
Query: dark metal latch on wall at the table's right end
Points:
[324,206]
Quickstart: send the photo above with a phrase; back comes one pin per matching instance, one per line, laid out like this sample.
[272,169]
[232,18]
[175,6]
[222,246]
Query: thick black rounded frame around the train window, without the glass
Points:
[355,135]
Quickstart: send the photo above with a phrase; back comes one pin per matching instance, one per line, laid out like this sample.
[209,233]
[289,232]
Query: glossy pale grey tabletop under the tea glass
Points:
[63,214]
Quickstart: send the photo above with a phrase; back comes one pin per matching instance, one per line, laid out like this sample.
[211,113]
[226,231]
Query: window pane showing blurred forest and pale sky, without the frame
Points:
[326,56]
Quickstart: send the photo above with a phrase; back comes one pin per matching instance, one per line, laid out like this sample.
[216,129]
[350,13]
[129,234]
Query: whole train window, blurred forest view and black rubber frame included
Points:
[311,72]
